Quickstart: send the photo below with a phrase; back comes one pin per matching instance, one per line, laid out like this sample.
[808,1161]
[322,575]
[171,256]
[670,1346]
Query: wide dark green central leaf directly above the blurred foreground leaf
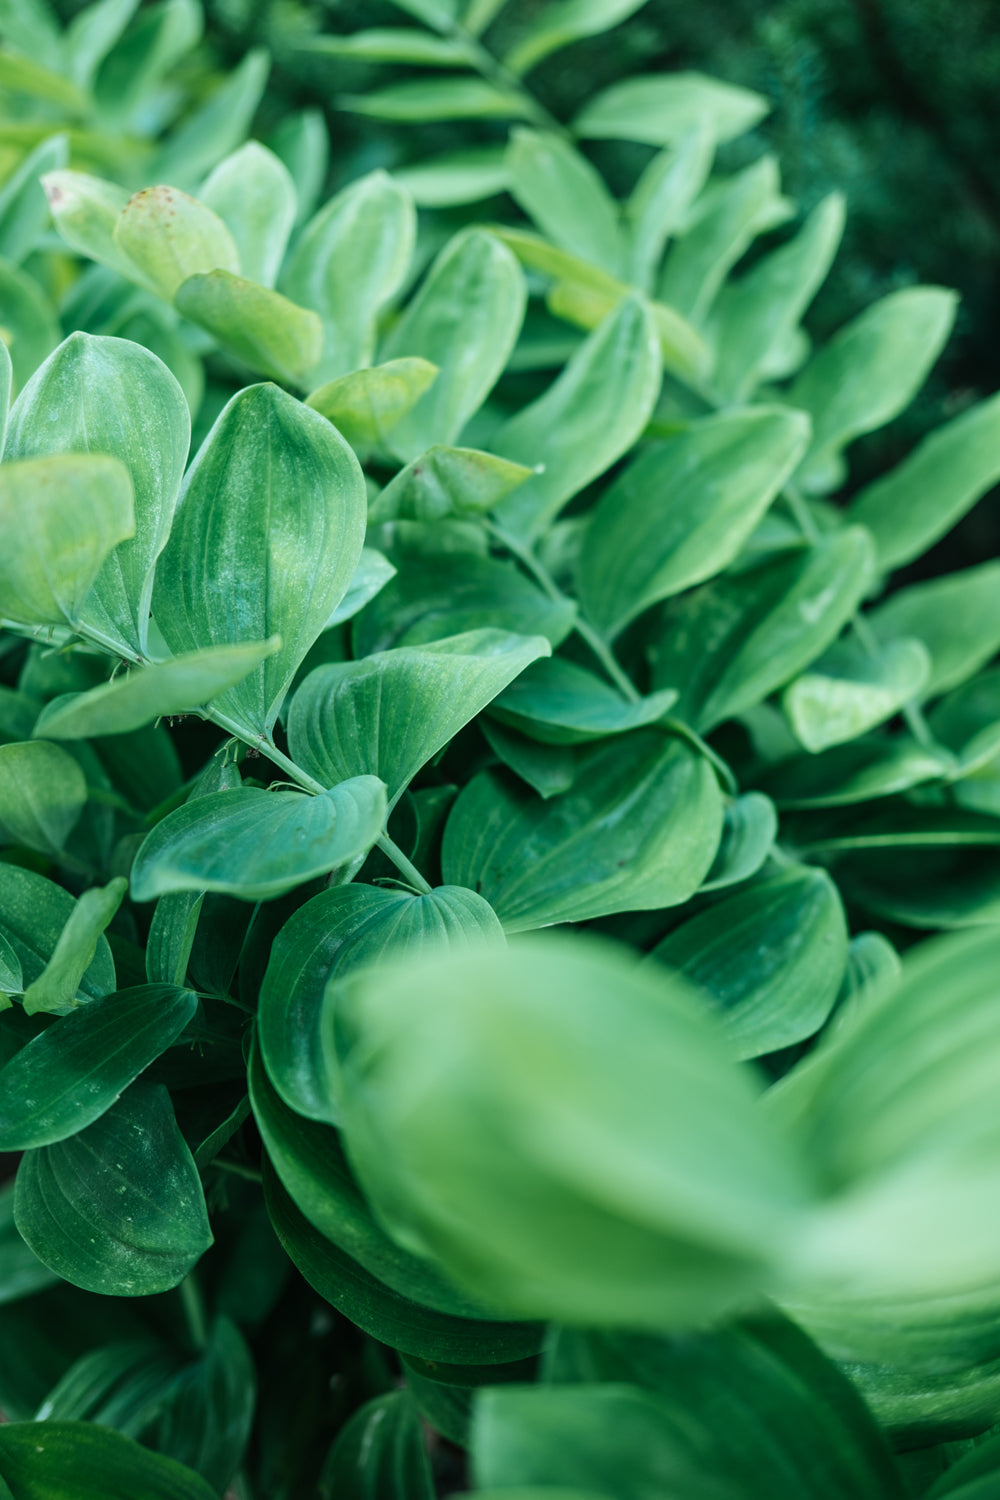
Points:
[638,830]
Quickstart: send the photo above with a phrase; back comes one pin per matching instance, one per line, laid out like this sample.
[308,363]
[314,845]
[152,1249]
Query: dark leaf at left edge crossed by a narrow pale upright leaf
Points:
[34,914]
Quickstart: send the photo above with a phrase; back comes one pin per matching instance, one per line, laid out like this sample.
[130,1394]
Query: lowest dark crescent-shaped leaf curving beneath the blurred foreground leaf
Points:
[385,1315]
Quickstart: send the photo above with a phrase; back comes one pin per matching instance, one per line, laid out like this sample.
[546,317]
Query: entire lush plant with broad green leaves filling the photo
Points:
[464,649]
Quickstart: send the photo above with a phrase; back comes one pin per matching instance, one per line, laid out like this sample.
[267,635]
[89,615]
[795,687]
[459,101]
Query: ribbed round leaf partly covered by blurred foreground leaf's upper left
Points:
[337,932]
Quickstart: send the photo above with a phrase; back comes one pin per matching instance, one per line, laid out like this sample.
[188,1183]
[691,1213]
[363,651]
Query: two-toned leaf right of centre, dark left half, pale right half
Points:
[734,641]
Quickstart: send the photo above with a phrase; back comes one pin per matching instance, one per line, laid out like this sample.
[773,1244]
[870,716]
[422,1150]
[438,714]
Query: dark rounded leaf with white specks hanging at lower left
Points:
[85,1205]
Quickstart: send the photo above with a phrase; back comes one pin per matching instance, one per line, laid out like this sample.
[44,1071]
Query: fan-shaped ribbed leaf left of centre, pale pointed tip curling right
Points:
[391,713]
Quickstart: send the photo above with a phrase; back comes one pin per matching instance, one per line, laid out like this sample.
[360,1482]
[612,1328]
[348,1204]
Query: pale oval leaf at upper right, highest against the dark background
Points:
[867,374]
